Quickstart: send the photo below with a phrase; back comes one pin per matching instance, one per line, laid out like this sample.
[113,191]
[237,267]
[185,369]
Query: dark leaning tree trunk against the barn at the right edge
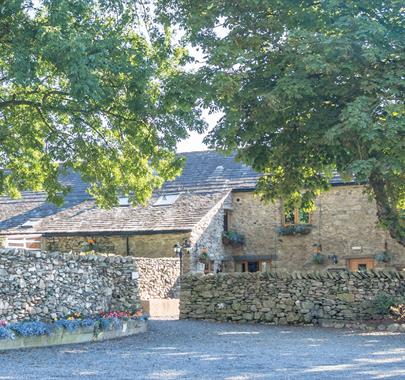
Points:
[387,214]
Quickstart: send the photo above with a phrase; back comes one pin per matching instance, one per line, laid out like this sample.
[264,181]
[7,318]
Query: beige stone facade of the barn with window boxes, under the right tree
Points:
[344,223]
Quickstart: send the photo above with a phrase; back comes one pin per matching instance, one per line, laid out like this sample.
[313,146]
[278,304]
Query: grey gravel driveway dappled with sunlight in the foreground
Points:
[205,350]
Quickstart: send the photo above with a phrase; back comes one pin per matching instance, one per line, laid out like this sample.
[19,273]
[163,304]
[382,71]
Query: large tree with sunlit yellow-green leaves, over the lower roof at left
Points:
[90,86]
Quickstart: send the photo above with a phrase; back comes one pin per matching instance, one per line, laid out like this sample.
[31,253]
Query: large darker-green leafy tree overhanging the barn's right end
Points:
[306,87]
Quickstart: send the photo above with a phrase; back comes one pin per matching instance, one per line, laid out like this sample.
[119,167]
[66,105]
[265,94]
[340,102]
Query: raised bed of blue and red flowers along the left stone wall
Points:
[74,328]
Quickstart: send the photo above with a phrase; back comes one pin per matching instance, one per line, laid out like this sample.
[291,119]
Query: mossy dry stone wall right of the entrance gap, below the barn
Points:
[284,298]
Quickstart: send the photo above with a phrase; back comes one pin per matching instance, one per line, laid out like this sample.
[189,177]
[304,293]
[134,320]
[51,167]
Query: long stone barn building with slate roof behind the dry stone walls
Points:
[214,194]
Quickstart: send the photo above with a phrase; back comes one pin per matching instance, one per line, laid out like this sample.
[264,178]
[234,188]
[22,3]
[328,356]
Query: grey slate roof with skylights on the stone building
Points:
[206,179]
